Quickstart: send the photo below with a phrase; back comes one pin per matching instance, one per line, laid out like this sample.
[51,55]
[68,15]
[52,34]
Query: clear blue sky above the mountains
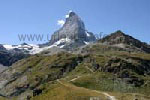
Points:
[41,16]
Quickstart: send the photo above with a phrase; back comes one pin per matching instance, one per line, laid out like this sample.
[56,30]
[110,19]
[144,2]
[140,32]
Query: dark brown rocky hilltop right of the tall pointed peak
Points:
[120,38]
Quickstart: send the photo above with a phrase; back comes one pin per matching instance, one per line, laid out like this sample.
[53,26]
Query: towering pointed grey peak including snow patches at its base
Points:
[73,31]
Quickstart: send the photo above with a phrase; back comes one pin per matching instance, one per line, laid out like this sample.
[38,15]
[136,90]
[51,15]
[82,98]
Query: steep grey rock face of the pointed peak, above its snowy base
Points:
[73,29]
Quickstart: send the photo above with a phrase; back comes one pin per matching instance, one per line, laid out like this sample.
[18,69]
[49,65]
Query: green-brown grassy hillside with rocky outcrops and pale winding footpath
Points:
[100,71]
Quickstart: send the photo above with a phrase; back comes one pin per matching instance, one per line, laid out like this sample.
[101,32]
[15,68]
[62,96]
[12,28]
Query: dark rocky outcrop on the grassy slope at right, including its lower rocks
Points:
[126,70]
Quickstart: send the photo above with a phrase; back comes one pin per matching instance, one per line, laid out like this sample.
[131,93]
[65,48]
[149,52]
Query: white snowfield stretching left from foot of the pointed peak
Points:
[34,49]
